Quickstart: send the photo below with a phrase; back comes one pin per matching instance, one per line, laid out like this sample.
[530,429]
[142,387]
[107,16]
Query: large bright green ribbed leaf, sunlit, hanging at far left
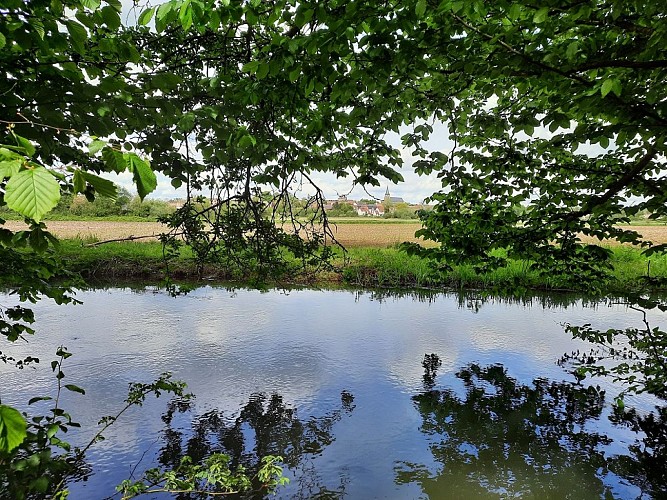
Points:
[32,193]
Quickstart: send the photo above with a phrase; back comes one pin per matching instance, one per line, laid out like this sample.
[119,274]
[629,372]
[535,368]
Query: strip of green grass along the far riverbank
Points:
[368,267]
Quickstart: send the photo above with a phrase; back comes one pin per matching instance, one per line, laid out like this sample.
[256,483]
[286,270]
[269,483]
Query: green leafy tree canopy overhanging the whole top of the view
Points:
[558,108]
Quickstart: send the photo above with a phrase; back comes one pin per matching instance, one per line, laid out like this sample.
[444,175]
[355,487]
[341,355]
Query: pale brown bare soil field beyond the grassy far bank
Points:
[349,235]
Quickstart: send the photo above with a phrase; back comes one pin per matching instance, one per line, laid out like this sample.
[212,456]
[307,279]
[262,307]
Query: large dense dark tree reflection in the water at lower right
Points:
[507,439]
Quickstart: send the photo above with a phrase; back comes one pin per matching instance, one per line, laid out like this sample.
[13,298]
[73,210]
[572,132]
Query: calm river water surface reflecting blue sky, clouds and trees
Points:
[334,381]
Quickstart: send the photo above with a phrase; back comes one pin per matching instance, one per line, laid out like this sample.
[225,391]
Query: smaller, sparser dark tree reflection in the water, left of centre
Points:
[264,426]
